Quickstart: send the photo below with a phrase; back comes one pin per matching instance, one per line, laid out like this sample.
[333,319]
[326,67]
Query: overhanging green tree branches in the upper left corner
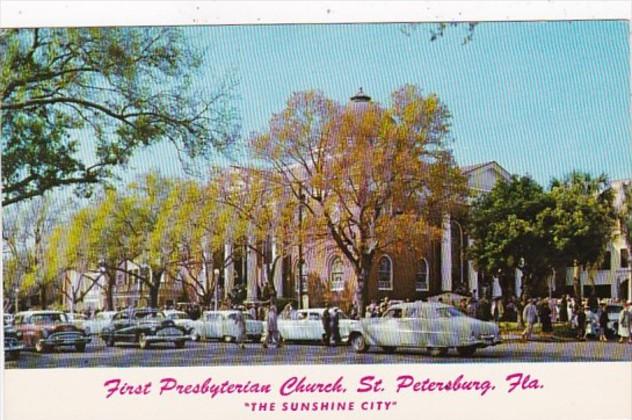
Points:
[122,88]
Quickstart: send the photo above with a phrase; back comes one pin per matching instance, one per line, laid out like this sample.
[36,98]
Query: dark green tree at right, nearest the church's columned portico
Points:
[507,232]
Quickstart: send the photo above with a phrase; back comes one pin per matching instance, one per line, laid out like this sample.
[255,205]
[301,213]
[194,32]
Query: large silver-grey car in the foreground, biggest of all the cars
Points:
[434,326]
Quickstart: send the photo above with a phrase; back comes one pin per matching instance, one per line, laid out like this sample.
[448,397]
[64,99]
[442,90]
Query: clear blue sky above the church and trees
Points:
[541,98]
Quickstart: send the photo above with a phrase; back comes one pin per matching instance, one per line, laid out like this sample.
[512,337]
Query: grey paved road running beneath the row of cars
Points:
[214,353]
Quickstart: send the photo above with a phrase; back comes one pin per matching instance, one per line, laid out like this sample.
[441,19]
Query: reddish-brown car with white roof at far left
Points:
[44,330]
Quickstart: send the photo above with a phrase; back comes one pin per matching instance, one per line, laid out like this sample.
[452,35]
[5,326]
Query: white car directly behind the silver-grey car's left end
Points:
[307,325]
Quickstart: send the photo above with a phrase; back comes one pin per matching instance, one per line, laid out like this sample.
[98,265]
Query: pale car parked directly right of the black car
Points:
[221,325]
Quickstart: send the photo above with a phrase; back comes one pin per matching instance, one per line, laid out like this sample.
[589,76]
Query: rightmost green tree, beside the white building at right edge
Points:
[580,221]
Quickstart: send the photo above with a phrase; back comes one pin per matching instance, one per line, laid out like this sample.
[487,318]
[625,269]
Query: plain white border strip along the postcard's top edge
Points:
[112,13]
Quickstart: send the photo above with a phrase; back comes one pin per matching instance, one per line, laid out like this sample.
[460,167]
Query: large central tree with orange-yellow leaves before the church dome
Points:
[373,177]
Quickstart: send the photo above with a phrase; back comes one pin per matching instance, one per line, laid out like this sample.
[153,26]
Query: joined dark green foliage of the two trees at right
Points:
[519,225]
